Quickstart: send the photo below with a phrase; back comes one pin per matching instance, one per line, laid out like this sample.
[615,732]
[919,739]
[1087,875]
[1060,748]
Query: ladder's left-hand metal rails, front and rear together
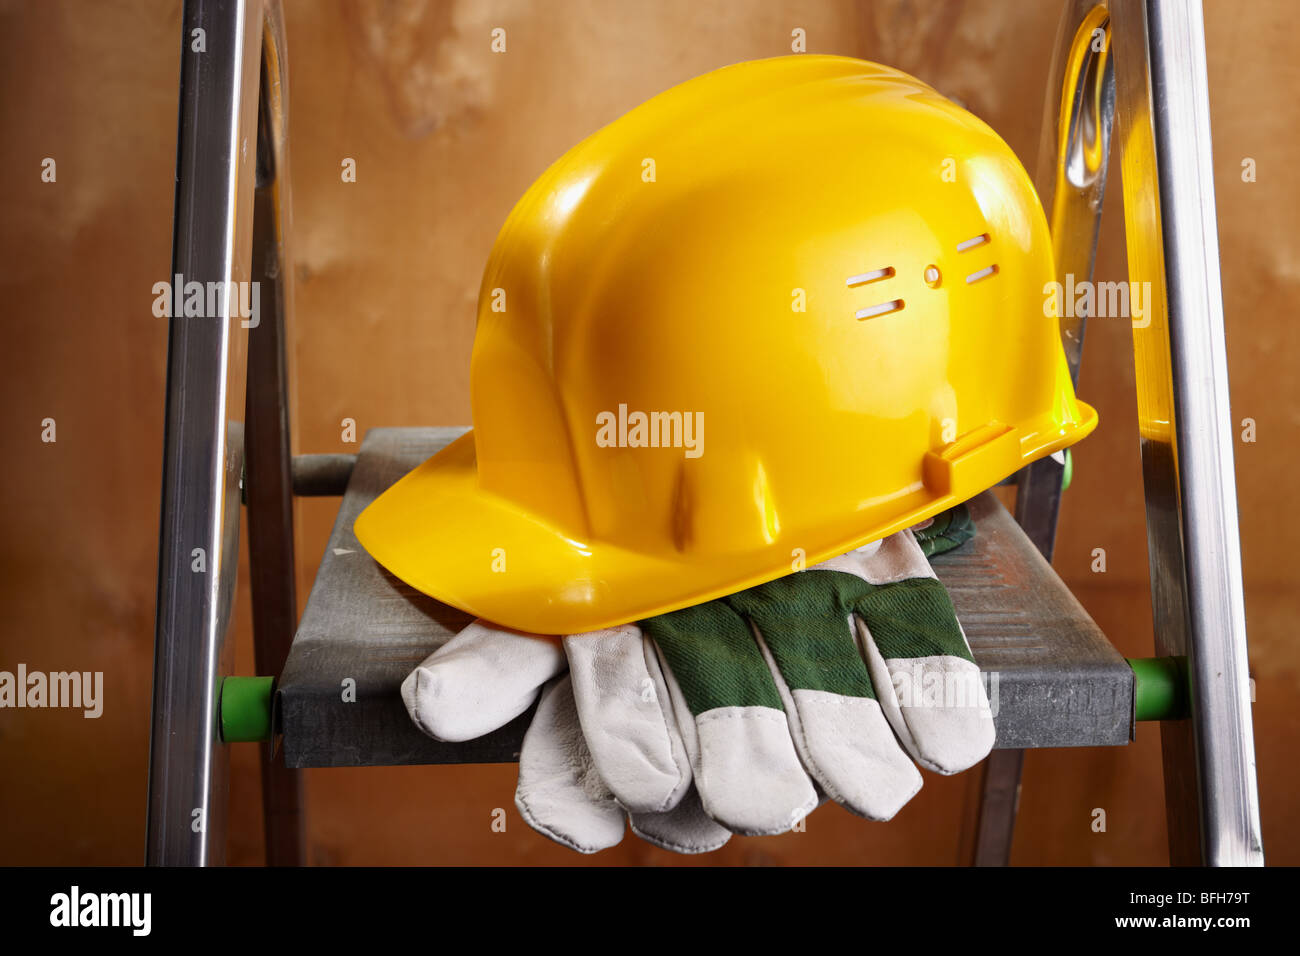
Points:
[231,226]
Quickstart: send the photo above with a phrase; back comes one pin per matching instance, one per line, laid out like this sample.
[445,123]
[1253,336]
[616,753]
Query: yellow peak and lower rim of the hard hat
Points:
[441,533]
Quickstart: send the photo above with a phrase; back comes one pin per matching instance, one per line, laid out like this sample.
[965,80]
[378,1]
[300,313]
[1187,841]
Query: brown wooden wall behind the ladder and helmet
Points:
[447,136]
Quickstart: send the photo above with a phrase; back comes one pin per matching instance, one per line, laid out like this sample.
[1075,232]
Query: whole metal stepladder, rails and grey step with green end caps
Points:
[1058,681]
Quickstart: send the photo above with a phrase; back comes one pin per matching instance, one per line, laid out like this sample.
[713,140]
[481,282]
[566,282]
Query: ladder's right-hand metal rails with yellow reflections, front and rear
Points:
[1156,80]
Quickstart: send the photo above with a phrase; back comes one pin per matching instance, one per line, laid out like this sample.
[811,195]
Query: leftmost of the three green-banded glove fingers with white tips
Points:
[731,720]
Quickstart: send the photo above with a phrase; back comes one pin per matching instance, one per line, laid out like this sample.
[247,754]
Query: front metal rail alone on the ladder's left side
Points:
[227,45]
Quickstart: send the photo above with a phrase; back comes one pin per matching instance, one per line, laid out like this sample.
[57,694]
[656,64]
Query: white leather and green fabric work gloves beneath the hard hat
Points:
[734,716]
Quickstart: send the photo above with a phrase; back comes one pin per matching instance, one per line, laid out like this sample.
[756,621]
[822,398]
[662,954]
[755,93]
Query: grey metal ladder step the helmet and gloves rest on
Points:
[1054,678]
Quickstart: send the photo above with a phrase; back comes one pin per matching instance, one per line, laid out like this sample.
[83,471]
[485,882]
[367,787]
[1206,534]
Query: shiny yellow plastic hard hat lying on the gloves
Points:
[778,313]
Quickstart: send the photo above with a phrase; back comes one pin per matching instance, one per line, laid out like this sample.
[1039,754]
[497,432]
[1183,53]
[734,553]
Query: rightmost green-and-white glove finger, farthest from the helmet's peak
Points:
[926,678]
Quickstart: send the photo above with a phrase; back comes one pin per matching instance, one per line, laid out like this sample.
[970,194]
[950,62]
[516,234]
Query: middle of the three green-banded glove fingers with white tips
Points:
[805,634]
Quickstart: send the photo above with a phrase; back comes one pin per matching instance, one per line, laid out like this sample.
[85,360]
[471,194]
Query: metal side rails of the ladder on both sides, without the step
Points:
[233,224]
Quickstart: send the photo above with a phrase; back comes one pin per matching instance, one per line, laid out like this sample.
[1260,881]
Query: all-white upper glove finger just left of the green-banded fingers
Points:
[627,719]
